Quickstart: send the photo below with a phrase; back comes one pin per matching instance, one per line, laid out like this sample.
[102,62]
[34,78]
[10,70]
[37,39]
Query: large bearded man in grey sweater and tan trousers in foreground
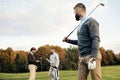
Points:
[88,45]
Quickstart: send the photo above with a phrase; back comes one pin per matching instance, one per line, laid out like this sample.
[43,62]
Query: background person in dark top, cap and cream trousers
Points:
[31,62]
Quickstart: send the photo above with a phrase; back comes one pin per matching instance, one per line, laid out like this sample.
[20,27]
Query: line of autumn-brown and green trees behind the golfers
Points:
[16,61]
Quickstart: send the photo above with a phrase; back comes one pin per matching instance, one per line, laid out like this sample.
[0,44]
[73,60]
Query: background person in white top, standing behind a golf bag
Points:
[54,64]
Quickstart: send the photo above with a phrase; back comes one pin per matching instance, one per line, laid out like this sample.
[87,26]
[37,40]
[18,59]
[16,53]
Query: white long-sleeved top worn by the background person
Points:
[54,60]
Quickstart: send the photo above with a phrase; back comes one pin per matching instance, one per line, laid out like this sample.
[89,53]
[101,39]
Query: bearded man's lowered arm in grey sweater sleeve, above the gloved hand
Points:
[94,34]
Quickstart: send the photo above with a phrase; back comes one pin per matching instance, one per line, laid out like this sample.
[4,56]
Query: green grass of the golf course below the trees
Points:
[108,73]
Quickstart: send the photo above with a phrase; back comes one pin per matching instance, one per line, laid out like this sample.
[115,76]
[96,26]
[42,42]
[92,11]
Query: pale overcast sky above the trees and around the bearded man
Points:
[27,23]
